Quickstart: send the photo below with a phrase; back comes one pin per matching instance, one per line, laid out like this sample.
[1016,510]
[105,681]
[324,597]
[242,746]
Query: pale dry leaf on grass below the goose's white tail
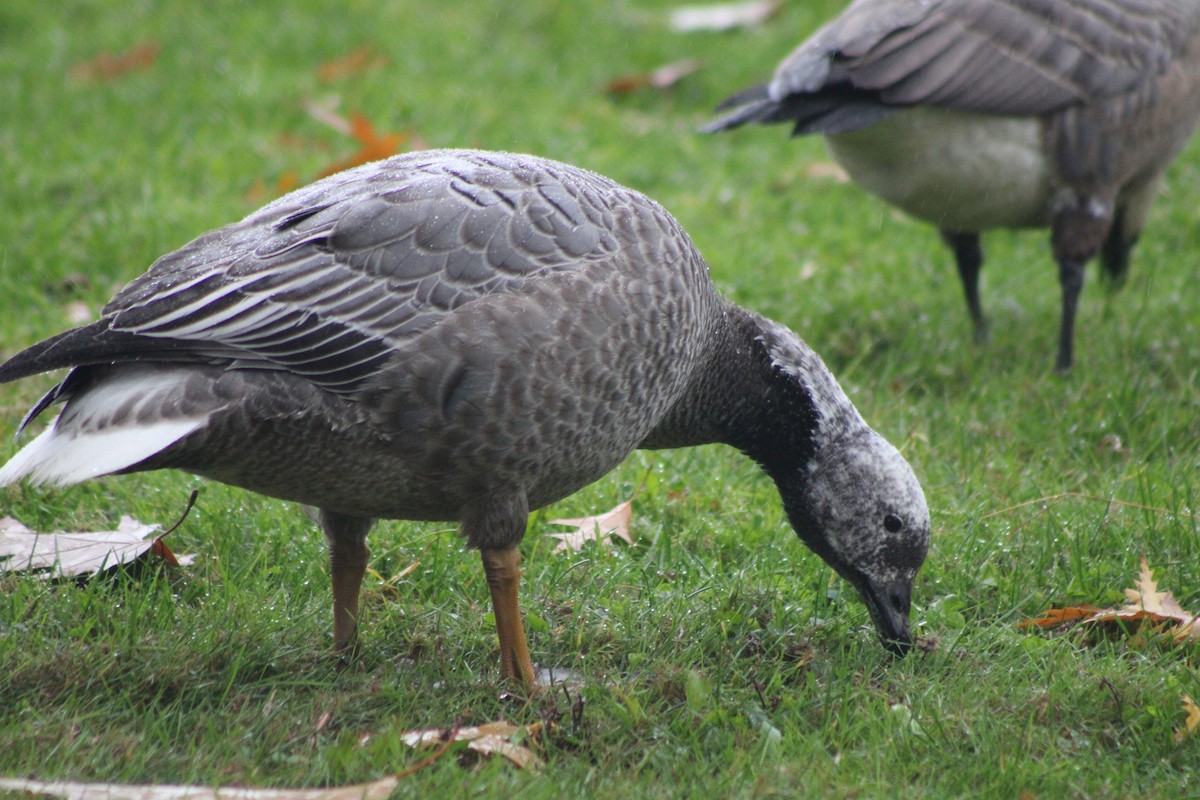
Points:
[83,554]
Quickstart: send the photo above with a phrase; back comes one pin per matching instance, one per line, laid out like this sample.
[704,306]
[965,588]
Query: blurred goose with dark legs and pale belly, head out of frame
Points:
[976,115]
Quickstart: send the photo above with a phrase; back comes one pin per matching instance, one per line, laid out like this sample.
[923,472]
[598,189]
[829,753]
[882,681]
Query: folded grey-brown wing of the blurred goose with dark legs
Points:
[1001,57]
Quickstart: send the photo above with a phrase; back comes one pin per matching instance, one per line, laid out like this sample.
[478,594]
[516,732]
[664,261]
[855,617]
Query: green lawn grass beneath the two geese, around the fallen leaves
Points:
[718,657]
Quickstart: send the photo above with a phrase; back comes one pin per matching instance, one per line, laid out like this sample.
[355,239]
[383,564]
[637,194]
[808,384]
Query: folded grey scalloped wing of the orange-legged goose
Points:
[328,282]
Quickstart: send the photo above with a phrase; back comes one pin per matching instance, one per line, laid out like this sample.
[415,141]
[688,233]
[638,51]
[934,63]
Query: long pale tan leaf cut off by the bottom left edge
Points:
[374,791]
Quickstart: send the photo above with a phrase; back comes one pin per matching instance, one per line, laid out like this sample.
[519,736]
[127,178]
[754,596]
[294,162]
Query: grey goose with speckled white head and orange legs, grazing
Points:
[464,336]
